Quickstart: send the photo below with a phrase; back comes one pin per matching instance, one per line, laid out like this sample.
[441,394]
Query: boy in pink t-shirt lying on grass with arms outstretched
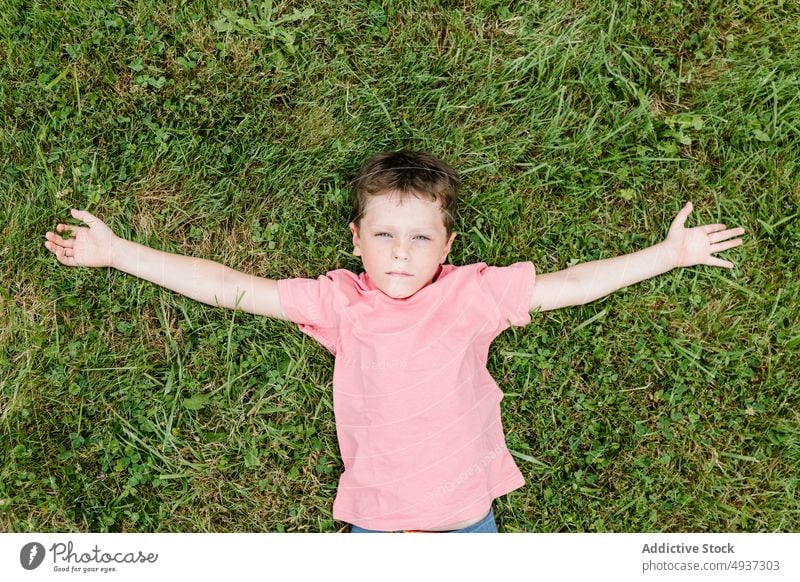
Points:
[417,413]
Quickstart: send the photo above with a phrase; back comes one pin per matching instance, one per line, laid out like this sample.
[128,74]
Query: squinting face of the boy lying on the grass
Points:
[401,236]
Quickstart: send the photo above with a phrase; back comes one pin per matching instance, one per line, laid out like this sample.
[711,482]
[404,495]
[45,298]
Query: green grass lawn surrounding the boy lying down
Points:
[580,129]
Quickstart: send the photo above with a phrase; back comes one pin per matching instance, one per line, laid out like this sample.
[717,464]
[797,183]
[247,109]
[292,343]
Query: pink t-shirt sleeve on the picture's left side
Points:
[311,304]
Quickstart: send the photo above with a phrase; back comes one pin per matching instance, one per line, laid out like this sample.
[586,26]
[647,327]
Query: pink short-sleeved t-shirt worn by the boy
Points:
[417,413]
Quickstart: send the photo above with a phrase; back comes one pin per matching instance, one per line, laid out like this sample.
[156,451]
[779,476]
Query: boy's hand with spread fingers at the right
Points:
[694,246]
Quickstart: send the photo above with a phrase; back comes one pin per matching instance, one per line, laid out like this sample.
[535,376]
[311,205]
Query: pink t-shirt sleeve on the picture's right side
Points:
[510,289]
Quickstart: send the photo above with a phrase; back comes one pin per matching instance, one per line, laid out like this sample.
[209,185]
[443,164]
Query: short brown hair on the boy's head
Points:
[418,174]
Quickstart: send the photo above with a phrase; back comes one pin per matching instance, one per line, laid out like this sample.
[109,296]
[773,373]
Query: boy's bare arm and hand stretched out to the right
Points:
[683,247]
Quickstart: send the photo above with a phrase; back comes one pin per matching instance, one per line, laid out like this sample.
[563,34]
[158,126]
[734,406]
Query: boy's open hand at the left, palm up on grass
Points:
[87,247]
